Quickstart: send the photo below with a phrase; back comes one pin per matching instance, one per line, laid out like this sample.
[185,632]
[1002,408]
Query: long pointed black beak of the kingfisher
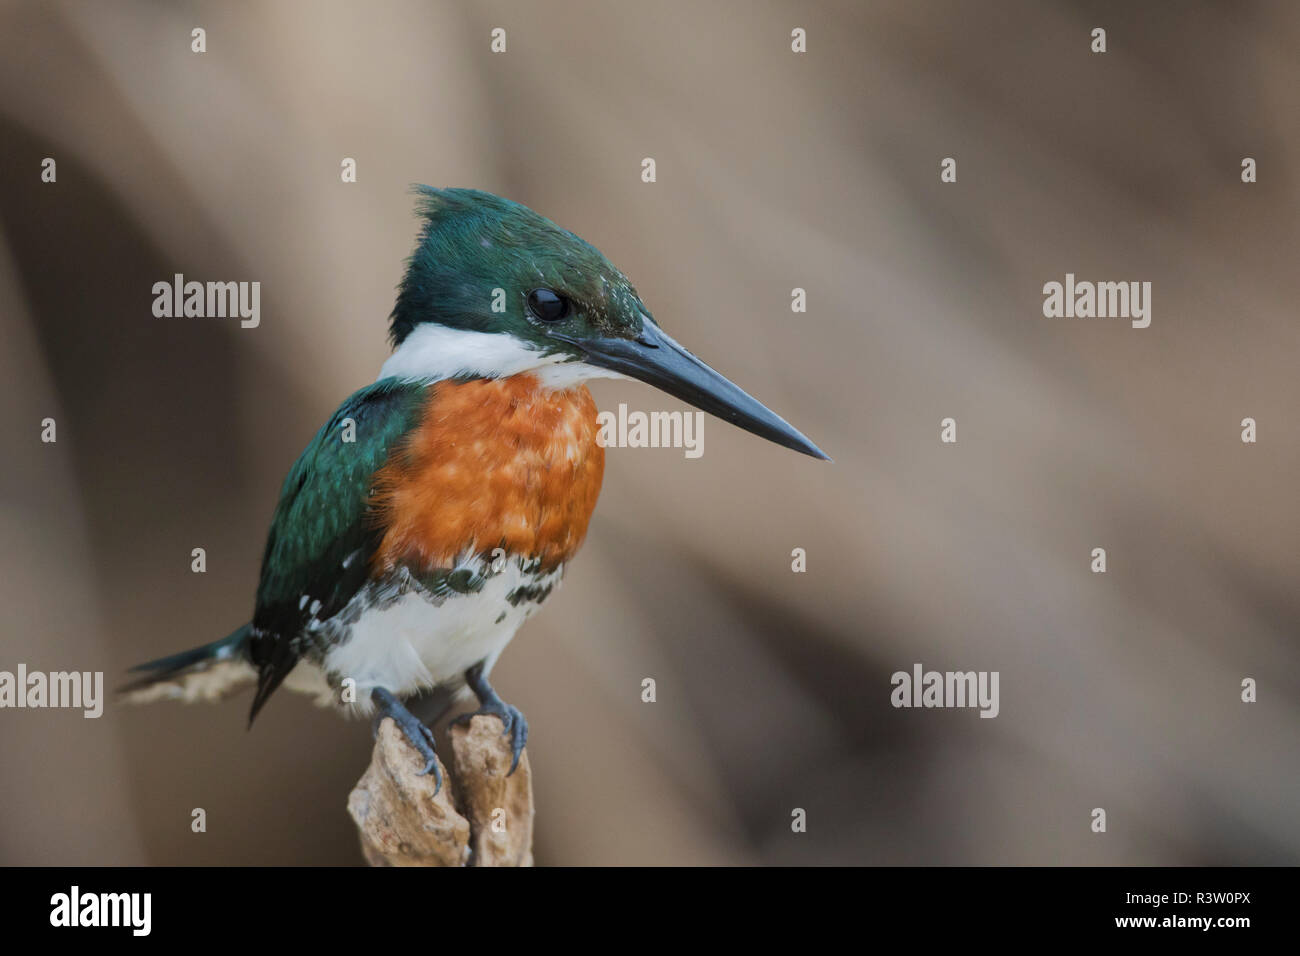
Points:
[657,360]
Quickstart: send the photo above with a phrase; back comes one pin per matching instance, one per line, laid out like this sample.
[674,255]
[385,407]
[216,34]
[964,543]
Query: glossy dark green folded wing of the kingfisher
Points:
[322,539]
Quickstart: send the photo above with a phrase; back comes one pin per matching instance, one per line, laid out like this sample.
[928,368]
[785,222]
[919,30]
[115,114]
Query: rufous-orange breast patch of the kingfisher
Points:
[500,464]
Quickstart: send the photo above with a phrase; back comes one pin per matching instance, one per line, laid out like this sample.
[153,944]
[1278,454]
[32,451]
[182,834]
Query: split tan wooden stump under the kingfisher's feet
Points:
[482,817]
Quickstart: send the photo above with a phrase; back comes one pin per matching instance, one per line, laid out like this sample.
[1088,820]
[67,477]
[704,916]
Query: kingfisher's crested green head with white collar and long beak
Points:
[493,291]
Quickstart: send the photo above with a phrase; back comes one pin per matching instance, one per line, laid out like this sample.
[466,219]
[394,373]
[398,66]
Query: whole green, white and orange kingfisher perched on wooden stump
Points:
[439,508]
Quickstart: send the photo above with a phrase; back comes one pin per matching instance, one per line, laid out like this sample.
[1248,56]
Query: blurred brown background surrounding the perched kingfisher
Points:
[775,171]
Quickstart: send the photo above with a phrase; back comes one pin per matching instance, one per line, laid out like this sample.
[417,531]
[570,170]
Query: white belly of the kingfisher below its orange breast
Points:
[415,644]
